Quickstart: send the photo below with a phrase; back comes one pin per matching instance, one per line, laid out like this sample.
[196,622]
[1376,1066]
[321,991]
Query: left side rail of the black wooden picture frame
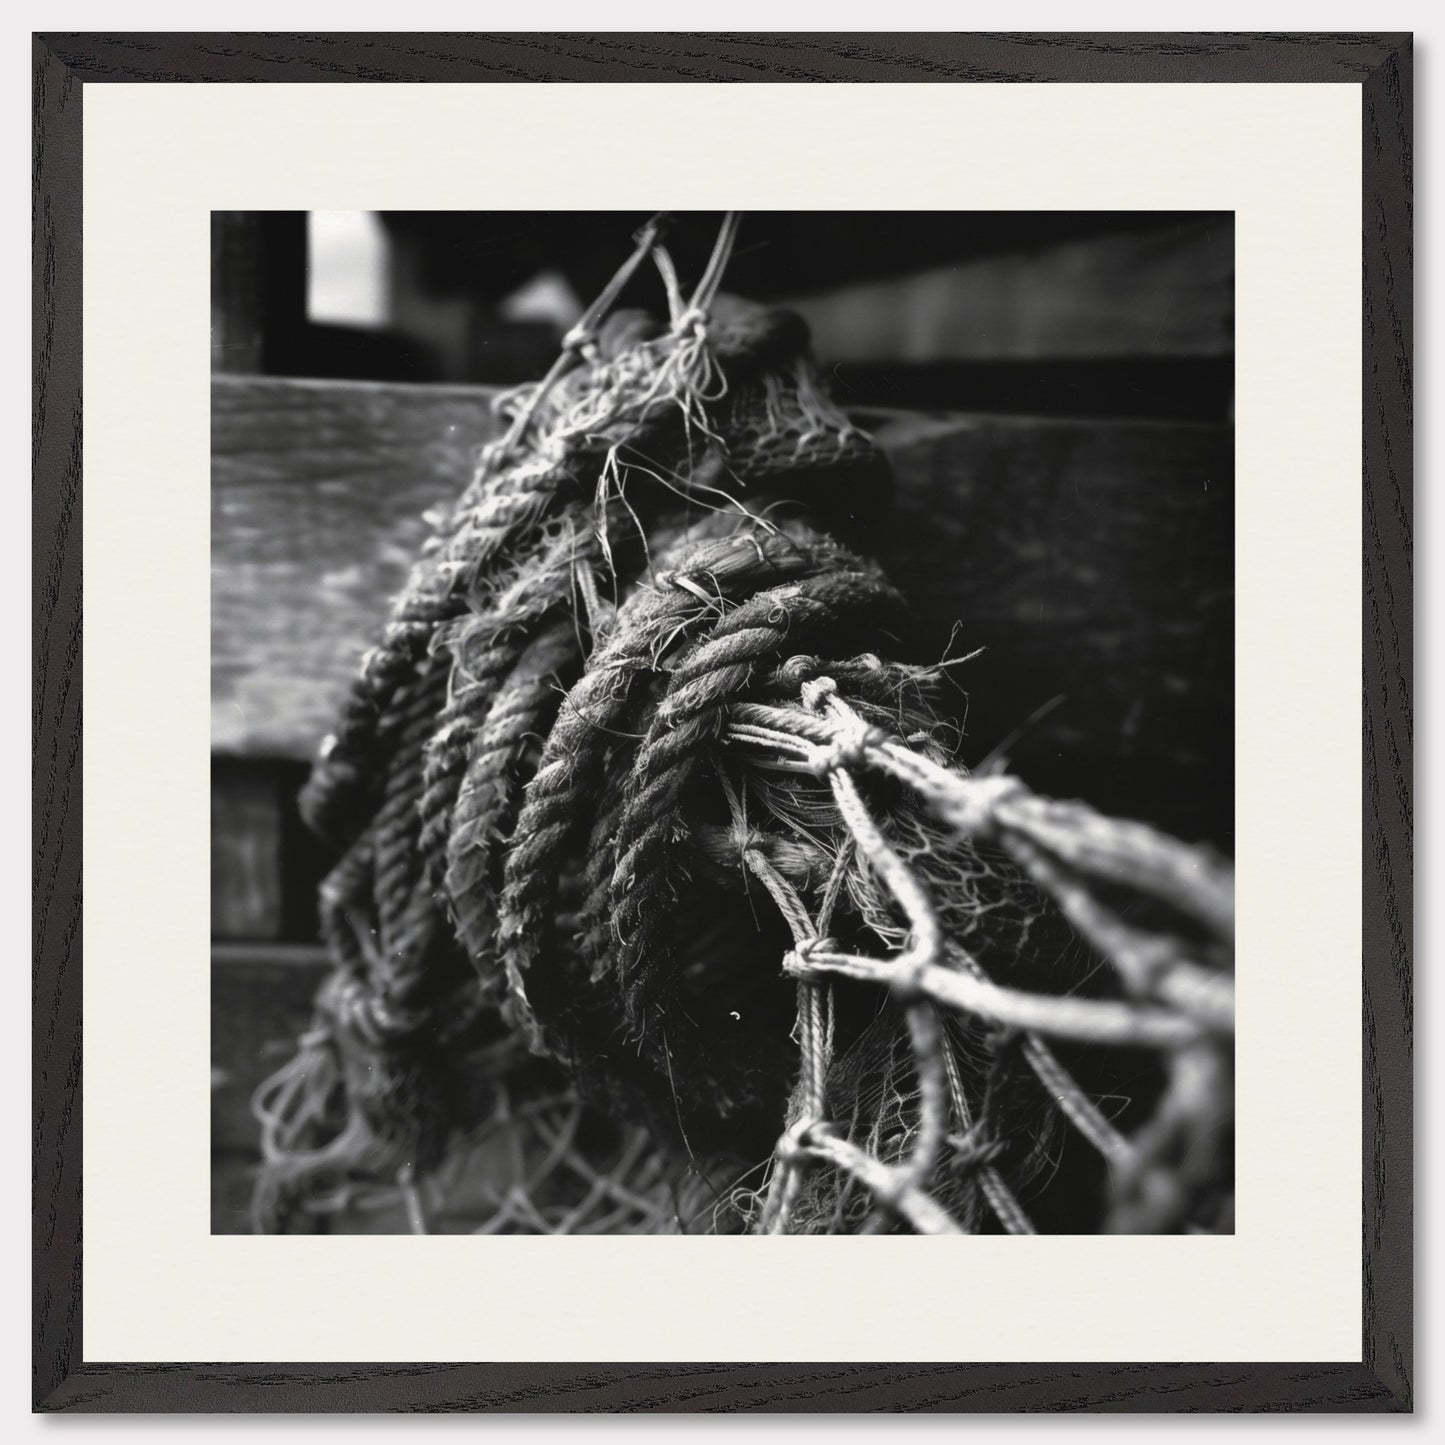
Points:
[56,720]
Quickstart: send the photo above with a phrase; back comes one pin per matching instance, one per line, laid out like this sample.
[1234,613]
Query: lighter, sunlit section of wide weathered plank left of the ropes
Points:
[319,492]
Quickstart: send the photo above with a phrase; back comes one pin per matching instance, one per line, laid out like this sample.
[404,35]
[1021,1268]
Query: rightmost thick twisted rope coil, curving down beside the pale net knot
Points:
[689,723]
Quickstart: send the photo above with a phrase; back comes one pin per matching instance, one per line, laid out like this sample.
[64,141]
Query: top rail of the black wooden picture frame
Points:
[723,57]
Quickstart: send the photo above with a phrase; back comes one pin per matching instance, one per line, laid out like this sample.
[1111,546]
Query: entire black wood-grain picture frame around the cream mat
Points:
[1381,67]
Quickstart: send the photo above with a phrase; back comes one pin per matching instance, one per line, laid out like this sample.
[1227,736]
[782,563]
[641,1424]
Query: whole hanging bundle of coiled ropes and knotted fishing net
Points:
[664,905]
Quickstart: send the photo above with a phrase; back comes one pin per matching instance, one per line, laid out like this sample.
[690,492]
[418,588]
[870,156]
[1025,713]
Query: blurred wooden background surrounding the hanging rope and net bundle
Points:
[1056,394]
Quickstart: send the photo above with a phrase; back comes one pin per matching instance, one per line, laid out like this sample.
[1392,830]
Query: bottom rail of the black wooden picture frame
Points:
[790,1389]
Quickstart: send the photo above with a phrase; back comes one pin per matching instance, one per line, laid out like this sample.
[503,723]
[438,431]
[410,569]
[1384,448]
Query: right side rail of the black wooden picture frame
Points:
[1389,782]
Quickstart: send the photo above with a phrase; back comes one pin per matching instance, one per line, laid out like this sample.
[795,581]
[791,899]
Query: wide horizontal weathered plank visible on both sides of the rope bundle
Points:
[1092,560]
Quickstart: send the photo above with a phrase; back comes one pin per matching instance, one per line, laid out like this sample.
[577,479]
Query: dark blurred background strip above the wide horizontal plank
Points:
[1044,314]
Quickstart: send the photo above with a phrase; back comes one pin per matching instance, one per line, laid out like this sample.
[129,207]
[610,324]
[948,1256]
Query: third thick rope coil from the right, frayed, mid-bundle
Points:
[521,710]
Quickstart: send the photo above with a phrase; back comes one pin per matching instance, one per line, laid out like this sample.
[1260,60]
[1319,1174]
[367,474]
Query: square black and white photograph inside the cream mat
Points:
[723,723]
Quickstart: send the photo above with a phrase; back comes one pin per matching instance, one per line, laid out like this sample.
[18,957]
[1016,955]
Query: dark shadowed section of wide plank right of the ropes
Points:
[1095,563]
